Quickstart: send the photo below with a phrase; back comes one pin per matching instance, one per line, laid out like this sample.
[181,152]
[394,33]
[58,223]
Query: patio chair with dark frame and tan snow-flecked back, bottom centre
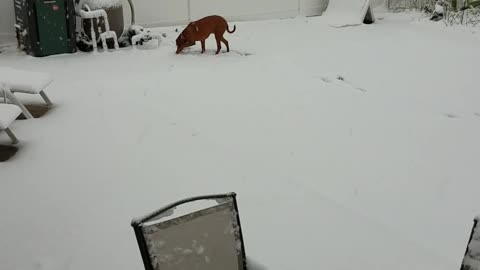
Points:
[203,232]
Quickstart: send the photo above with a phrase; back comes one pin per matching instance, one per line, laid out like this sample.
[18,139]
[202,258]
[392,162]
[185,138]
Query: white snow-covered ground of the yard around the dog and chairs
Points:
[350,148]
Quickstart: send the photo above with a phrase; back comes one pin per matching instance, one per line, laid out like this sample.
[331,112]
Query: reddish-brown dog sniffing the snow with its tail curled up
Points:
[201,30]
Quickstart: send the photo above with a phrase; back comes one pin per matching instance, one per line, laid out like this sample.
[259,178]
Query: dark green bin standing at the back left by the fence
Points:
[45,27]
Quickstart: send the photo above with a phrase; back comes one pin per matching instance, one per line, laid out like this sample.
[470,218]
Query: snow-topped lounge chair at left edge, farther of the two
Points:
[28,82]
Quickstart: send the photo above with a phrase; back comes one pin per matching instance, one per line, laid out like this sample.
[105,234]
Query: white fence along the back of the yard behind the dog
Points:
[152,13]
